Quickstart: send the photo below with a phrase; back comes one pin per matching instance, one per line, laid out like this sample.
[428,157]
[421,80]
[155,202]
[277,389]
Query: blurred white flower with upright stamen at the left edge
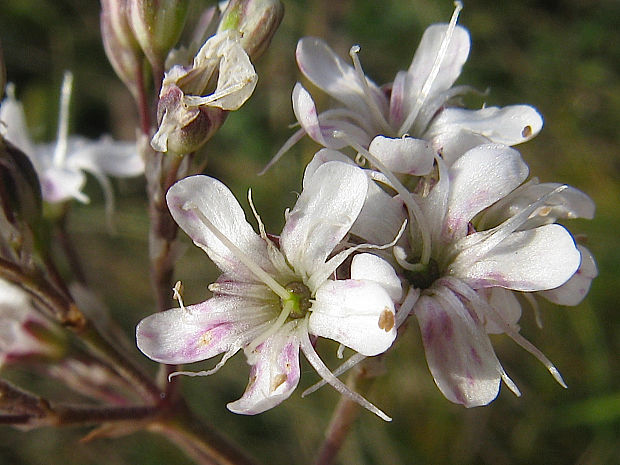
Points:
[61,166]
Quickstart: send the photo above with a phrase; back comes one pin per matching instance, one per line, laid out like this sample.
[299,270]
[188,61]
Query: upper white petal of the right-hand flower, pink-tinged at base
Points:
[481,177]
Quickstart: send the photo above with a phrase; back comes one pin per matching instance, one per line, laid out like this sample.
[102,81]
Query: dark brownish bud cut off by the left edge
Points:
[20,192]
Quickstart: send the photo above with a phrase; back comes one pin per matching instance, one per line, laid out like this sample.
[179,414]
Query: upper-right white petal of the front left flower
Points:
[327,207]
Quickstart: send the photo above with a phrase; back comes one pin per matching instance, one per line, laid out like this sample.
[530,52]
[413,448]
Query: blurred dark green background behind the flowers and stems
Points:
[563,57]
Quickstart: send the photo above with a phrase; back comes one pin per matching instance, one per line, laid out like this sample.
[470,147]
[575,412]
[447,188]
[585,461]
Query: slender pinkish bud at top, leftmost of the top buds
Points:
[120,44]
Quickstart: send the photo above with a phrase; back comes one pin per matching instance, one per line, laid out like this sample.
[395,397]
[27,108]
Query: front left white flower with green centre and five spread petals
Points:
[270,299]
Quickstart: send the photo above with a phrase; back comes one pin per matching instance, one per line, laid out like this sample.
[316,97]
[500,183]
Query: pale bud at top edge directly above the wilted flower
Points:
[256,20]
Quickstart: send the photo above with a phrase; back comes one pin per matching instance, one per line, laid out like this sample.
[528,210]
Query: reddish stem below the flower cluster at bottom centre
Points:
[347,411]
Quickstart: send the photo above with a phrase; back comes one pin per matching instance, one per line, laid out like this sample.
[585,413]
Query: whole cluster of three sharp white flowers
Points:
[433,218]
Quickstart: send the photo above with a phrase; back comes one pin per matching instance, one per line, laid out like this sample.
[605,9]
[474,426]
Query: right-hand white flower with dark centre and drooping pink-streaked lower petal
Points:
[466,273]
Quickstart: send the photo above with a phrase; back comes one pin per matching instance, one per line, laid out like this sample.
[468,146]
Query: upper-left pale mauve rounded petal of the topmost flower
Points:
[318,62]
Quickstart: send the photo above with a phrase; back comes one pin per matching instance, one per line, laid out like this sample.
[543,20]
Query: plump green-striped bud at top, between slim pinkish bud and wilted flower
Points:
[157,25]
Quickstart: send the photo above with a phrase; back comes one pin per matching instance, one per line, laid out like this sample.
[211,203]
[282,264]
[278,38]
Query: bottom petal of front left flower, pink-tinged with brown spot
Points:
[274,374]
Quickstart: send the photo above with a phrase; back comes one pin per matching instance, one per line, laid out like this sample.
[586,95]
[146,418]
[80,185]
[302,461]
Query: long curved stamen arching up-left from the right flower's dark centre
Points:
[413,208]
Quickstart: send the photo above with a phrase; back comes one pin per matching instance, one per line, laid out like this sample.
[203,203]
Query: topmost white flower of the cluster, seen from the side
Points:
[415,104]
